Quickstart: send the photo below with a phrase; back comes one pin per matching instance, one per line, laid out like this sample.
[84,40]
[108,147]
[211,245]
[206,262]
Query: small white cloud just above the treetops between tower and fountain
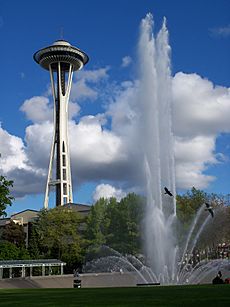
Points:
[107,191]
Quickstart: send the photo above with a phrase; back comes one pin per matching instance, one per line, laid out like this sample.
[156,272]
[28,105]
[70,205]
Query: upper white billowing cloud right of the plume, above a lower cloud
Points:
[200,108]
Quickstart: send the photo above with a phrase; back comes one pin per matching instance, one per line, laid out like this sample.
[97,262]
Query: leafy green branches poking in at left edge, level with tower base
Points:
[5,197]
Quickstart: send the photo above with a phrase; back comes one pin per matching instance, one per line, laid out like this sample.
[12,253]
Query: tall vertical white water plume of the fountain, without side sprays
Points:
[157,143]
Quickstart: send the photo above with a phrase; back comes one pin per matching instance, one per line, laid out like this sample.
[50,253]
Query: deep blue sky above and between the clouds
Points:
[108,31]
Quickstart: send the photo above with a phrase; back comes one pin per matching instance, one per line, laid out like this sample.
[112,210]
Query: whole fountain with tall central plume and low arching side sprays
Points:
[165,261]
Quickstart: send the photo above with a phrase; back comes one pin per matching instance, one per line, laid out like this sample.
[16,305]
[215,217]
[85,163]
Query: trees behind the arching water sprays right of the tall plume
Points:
[216,230]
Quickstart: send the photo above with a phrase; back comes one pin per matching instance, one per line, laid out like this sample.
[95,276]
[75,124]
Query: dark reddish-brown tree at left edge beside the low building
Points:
[14,233]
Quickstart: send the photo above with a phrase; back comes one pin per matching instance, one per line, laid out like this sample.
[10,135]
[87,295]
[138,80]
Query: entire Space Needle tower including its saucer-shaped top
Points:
[61,60]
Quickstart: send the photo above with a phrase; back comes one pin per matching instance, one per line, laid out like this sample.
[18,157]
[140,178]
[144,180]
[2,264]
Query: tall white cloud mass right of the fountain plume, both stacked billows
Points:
[201,113]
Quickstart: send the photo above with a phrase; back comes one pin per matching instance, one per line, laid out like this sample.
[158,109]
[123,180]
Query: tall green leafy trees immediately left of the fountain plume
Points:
[116,224]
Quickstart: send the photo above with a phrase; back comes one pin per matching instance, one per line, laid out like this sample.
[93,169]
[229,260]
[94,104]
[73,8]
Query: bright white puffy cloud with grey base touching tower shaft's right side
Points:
[95,152]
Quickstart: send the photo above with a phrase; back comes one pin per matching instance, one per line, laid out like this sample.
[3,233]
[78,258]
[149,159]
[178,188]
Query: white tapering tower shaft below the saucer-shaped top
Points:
[61,80]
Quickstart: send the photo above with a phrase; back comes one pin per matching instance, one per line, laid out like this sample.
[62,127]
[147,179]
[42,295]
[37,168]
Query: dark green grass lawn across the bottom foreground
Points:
[199,295]
